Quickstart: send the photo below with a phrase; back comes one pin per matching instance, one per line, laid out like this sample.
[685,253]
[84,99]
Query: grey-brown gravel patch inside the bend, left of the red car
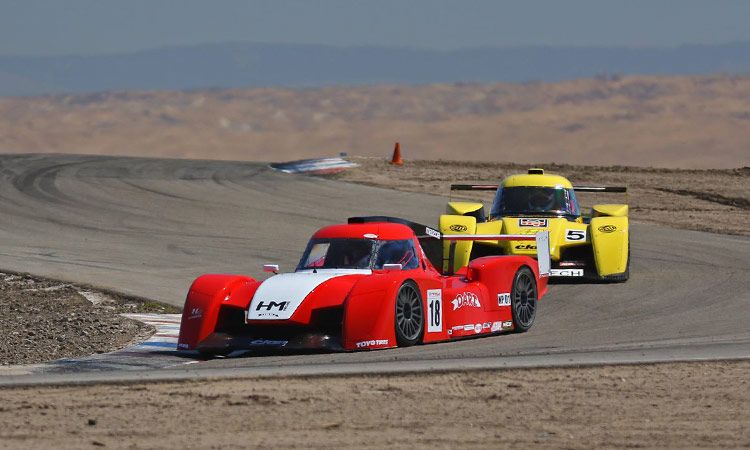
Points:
[42,320]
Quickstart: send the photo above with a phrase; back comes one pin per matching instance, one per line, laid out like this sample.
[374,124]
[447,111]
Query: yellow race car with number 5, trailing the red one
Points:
[589,247]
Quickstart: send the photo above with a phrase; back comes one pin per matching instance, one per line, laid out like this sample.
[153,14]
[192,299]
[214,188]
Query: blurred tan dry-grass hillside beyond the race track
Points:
[687,122]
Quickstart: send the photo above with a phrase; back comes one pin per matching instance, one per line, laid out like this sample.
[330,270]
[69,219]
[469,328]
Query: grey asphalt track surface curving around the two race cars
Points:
[147,227]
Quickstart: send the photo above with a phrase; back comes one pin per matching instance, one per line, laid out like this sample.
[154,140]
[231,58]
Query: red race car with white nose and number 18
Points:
[369,284]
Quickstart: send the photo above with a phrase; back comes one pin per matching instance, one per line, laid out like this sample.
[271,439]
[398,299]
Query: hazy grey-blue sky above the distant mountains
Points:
[99,26]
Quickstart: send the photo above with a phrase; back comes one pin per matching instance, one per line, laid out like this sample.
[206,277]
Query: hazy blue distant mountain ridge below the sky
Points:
[233,65]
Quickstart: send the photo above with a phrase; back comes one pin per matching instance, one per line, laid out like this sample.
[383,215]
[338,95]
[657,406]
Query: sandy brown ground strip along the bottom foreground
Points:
[697,405]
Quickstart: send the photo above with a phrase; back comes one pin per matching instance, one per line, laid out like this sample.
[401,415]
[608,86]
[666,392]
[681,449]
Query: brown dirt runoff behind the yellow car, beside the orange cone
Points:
[703,200]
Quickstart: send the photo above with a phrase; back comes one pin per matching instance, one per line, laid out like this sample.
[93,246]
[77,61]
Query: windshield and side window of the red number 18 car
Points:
[357,254]
